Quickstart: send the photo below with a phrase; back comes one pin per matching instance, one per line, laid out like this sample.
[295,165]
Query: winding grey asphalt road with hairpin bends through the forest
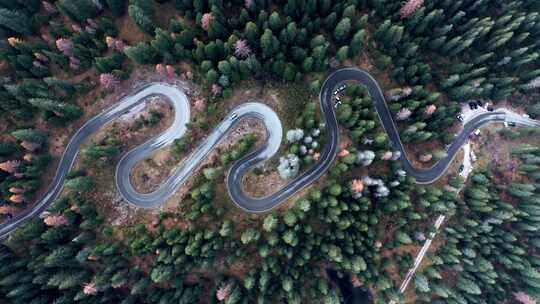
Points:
[274,129]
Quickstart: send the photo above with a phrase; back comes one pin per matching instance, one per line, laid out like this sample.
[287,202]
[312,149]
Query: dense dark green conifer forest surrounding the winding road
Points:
[366,218]
